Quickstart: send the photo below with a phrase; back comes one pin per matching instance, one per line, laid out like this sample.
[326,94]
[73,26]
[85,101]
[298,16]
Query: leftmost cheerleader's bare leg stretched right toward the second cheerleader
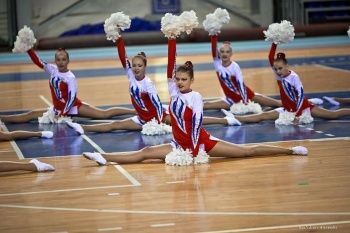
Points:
[97,113]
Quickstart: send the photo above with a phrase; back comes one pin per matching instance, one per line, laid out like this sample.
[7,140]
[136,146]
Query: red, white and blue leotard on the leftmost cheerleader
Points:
[63,87]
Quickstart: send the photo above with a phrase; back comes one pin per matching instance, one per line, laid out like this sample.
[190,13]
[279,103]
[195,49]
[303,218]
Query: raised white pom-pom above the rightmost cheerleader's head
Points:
[280,33]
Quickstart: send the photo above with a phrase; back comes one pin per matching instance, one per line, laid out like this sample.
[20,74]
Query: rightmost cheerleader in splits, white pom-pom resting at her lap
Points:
[296,108]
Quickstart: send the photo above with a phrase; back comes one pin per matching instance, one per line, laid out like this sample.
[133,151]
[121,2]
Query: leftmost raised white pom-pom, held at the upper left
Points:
[24,41]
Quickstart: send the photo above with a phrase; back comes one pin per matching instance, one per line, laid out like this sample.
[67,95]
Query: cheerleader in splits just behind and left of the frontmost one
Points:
[144,98]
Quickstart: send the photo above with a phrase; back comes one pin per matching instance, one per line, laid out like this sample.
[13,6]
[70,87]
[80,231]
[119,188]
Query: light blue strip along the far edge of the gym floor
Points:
[182,48]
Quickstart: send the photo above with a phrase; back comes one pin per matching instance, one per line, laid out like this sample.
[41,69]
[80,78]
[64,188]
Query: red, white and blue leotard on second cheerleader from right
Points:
[230,78]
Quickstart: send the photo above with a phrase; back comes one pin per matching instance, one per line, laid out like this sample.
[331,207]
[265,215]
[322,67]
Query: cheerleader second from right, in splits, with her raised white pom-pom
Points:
[239,98]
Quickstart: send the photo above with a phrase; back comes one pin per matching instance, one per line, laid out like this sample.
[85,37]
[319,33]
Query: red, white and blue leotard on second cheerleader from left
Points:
[143,93]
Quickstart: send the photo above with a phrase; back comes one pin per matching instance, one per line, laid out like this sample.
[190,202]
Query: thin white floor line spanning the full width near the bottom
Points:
[181,212]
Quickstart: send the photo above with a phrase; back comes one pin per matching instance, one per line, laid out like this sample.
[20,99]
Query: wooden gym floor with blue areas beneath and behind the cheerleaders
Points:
[265,194]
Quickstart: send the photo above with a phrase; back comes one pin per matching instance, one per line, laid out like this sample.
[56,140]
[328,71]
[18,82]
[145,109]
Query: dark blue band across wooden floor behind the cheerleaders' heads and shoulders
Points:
[342,62]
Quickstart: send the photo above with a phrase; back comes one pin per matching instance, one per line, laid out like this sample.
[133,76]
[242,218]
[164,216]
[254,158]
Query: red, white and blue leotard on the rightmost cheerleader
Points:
[291,89]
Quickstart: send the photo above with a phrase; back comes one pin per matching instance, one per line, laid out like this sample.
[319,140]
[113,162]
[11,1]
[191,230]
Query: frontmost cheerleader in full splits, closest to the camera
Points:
[190,138]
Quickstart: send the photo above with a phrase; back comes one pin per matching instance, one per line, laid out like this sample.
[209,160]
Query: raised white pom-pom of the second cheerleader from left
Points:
[116,22]
